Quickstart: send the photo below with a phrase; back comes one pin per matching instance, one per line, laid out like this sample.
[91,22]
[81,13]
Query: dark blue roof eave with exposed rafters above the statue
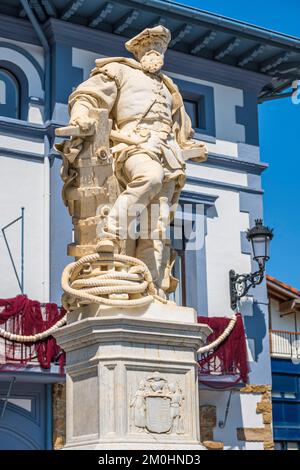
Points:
[195,32]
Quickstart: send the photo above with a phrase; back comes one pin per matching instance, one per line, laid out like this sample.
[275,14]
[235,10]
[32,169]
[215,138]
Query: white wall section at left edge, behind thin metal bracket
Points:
[22,185]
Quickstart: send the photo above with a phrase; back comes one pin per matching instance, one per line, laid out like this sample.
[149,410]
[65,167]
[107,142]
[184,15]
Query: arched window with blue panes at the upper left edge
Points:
[9,95]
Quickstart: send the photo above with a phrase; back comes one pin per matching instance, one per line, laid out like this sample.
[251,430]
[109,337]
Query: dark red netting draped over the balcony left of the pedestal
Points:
[23,316]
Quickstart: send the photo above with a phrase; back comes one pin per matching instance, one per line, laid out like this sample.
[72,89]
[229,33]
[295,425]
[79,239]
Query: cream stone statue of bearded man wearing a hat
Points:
[150,140]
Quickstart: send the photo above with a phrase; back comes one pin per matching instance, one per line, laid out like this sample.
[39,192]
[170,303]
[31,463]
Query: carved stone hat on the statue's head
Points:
[152,38]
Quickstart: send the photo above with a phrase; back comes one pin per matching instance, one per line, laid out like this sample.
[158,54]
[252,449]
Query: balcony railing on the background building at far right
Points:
[285,344]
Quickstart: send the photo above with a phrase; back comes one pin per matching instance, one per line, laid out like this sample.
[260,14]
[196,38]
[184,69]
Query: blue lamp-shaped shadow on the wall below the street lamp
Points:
[256,329]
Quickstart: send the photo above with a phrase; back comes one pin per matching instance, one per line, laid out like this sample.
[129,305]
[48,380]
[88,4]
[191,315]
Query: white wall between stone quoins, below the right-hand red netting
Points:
[242,413]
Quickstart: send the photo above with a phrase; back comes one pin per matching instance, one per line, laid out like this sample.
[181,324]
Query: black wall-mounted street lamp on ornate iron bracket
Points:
[260,237]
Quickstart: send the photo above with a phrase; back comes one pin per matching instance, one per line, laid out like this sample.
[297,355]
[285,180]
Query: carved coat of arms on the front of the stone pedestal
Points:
[157,406]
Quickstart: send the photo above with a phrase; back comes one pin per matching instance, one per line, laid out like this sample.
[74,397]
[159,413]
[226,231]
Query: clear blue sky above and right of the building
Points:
[279,123]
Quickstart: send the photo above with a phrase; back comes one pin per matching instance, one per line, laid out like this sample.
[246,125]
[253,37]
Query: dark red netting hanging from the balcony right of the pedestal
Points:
[230,357]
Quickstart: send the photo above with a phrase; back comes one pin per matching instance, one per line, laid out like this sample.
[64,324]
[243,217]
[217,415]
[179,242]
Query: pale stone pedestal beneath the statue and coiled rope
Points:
[132,379]
